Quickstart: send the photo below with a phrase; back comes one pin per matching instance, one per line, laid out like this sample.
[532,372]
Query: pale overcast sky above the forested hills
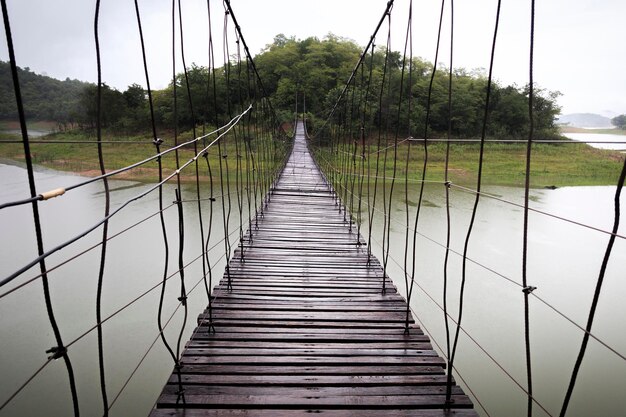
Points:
[578,43]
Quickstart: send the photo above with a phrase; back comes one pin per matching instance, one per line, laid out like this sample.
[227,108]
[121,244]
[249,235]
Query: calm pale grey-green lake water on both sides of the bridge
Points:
[564,261]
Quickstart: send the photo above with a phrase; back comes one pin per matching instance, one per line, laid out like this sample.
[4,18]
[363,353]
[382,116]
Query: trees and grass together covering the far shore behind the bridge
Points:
[315,71]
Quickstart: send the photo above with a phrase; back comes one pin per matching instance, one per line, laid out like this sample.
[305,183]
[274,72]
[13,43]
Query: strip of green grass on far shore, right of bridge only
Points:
[567,164]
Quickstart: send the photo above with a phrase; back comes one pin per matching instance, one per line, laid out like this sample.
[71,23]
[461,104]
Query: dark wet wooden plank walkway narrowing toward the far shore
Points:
[305,329]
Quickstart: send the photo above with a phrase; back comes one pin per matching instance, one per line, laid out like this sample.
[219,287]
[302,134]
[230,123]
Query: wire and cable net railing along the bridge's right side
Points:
[459,244]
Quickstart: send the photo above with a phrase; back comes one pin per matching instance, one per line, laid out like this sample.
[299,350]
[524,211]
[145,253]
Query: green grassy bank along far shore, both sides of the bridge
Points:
[566,164]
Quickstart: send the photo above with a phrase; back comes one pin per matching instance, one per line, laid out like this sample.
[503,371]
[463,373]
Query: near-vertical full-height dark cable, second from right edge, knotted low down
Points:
[526,289]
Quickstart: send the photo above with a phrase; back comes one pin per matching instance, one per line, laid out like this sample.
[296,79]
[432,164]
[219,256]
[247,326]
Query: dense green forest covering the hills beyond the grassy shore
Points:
[314,69]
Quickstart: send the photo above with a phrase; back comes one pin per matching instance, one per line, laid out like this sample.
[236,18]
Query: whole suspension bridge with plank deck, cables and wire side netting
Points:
[310,315]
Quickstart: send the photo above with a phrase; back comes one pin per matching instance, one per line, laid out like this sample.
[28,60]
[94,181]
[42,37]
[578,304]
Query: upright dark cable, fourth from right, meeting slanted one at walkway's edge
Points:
[448,217]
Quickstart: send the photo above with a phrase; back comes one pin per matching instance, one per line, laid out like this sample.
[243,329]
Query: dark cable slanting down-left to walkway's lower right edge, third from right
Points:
[478,193]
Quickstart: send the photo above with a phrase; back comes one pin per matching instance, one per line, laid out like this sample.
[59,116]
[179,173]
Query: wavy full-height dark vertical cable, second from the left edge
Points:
[105,225]
